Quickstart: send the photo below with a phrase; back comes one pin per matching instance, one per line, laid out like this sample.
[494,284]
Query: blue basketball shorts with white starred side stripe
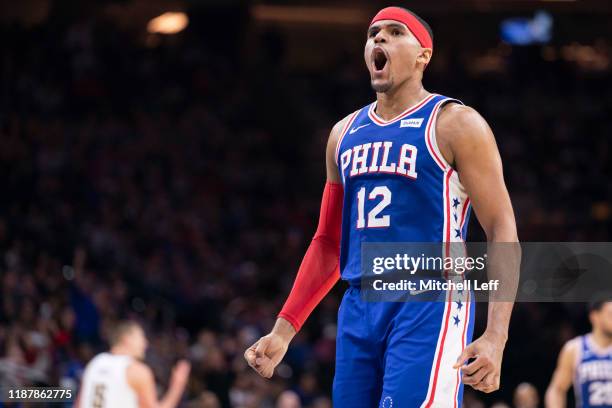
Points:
[401,354]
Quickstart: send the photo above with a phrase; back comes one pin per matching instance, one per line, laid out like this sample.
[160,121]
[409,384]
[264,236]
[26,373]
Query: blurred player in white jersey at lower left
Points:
[120,379]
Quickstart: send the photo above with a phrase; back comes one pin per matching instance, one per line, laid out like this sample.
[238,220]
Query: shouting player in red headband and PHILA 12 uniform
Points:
[406,168]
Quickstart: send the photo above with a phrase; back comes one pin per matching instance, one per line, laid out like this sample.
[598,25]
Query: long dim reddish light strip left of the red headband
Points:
[309,15]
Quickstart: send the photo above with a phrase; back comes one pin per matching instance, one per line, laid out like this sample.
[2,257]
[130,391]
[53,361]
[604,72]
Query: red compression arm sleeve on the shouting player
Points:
[320,268]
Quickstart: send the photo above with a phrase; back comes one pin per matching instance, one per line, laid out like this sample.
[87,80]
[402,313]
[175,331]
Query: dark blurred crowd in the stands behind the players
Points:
[179,184]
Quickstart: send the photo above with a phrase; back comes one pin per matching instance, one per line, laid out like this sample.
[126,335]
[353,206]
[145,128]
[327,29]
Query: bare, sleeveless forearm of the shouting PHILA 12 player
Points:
[503,264]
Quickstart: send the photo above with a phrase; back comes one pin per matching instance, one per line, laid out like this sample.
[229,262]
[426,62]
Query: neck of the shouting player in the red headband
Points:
[393,102]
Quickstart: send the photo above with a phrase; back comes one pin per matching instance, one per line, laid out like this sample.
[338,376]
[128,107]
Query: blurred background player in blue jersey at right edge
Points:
[586,361]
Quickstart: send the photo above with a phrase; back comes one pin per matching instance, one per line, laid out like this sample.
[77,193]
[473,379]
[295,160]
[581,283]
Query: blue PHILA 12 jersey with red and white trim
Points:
[397,185]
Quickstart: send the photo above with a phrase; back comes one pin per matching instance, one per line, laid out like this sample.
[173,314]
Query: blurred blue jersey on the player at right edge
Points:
[593,377]
